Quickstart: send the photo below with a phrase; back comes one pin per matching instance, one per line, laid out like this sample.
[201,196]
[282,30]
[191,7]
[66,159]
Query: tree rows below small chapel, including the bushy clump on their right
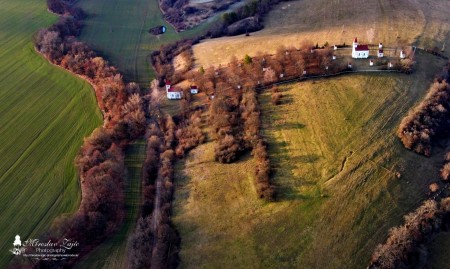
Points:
[155,242]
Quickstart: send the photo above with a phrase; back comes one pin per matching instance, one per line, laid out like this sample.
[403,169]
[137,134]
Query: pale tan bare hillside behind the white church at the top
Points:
[424,23]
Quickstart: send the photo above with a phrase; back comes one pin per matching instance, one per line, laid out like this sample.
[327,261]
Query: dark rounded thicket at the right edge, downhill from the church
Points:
[428,120]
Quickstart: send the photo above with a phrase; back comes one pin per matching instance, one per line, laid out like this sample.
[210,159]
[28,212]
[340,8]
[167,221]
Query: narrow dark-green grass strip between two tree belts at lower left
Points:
[113,252]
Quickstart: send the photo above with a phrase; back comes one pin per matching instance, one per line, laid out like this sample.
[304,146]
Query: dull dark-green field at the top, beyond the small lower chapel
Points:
[119,30]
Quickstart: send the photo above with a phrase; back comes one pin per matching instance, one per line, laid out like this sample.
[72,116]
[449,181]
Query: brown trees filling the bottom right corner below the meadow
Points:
[406,244]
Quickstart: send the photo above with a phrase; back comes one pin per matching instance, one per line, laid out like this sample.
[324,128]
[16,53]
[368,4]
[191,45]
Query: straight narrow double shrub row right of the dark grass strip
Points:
[155,242]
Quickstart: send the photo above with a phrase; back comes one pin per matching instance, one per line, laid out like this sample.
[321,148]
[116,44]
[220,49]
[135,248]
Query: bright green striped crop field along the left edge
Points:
[44,112]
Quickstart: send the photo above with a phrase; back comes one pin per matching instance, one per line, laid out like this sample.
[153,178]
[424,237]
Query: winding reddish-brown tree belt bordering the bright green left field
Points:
[100,161]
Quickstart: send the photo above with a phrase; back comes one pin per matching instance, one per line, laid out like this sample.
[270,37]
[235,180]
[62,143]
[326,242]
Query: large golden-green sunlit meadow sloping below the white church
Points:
[335,154]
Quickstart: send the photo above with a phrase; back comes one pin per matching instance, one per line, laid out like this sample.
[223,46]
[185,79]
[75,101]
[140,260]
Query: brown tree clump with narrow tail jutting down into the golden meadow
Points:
[234,117]
